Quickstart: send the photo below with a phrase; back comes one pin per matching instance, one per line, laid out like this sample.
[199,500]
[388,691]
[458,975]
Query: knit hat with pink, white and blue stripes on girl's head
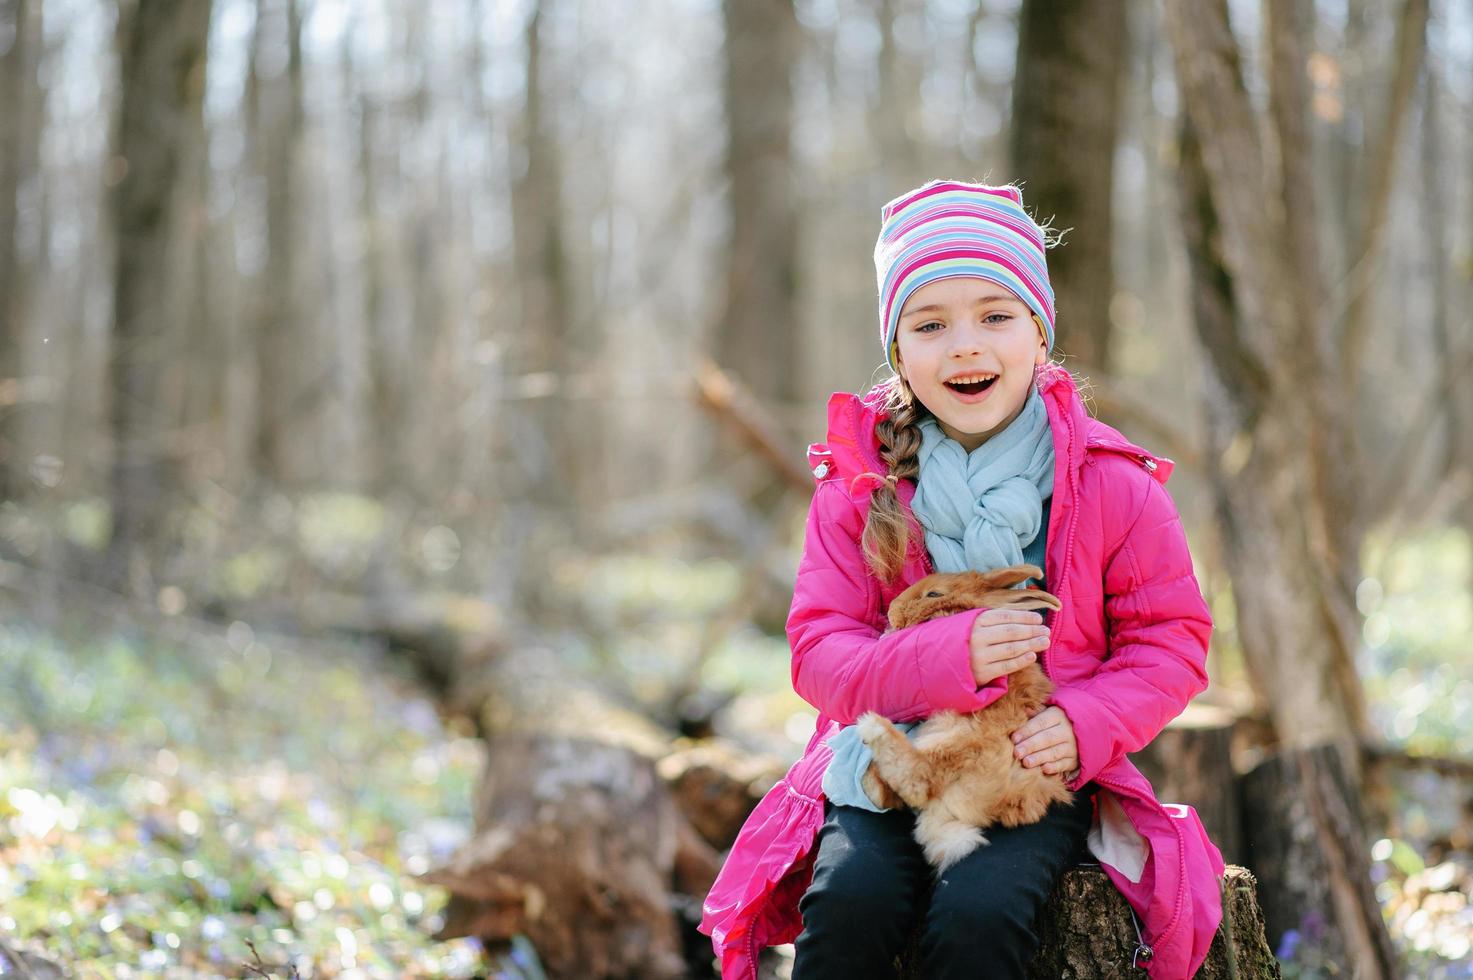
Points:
[948,229]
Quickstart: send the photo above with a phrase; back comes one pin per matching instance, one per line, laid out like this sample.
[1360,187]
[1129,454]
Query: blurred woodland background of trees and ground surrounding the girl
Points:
[404,400]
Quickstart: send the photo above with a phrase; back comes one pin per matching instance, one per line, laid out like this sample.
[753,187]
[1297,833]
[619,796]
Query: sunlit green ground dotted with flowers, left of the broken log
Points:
[161,807]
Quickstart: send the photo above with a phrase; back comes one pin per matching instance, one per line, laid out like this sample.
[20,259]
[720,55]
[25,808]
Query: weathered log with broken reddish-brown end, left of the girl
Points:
[575,847]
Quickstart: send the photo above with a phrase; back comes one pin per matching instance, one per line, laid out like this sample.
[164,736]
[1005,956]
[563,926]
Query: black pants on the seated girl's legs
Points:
[868,888]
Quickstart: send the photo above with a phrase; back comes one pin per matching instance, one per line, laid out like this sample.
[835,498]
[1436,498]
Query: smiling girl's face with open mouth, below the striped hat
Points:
[968,329]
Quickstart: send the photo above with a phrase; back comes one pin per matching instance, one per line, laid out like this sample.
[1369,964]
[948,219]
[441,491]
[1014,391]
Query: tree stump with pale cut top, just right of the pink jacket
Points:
[1191,763]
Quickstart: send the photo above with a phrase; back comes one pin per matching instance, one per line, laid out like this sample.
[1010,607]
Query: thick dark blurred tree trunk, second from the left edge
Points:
[163,73]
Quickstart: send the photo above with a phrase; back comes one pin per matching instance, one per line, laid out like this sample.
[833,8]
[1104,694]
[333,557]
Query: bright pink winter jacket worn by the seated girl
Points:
[1128,654]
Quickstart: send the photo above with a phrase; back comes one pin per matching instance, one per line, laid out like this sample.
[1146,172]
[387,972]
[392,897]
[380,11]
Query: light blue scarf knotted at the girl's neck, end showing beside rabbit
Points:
[979,511]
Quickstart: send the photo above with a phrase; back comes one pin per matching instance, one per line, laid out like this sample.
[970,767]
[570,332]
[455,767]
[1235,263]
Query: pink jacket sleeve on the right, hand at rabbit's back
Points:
[1159,639]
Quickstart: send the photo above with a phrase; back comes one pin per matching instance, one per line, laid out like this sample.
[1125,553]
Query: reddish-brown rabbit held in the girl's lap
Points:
[960,774]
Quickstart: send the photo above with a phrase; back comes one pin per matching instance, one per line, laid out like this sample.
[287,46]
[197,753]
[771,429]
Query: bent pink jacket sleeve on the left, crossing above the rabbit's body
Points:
[842,665]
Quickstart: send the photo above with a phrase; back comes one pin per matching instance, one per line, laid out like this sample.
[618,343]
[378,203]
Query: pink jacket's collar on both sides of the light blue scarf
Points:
[854,447]
